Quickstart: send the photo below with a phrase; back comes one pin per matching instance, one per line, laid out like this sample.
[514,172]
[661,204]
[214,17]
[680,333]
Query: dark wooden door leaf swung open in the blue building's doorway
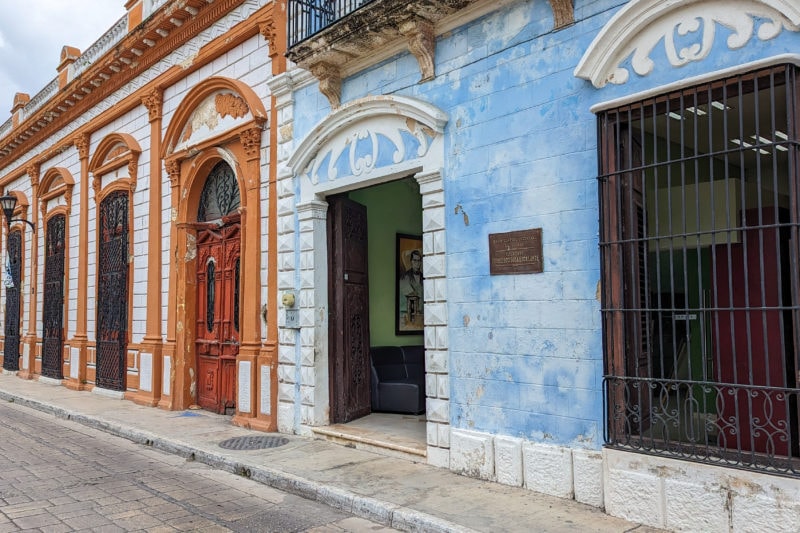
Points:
[349,310]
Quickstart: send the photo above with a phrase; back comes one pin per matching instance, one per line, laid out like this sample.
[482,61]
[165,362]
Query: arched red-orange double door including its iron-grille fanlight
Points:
[218,271]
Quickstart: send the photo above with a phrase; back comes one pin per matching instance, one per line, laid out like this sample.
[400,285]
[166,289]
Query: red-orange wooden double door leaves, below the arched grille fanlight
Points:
[217,325]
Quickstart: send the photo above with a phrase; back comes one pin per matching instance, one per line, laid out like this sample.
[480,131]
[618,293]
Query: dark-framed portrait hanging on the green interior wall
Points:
[409,296]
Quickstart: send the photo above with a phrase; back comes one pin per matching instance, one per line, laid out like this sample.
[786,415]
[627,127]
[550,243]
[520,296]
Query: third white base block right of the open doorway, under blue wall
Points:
[548,469]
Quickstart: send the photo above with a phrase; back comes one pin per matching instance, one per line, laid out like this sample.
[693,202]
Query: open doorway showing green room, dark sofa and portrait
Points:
[377,358]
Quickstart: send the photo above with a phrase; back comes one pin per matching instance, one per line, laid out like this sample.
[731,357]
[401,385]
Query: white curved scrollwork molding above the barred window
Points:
[642,24]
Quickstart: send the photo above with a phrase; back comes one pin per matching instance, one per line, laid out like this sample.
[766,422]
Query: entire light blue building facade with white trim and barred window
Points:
[560,380]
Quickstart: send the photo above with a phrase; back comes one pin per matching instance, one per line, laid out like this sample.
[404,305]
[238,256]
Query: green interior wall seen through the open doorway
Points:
[392,208]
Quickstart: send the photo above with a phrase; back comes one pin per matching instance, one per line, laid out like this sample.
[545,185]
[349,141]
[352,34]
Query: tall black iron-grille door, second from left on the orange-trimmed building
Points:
[53,319]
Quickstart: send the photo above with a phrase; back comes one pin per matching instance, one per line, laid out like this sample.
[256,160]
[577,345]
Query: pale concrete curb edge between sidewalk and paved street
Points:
[375,510]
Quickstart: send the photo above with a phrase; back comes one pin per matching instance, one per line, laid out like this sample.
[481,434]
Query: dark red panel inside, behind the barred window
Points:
[748,339]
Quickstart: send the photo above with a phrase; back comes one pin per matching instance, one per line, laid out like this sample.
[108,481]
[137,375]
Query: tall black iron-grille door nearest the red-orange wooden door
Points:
[112,292]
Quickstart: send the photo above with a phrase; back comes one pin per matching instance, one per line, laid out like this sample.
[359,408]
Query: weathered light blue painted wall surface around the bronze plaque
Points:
[521,152]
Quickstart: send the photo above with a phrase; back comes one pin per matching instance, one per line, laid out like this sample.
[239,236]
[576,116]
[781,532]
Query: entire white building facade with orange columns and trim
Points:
[147,170]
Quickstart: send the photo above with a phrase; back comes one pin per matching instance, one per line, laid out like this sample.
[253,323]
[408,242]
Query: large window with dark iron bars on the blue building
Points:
[699,241]
